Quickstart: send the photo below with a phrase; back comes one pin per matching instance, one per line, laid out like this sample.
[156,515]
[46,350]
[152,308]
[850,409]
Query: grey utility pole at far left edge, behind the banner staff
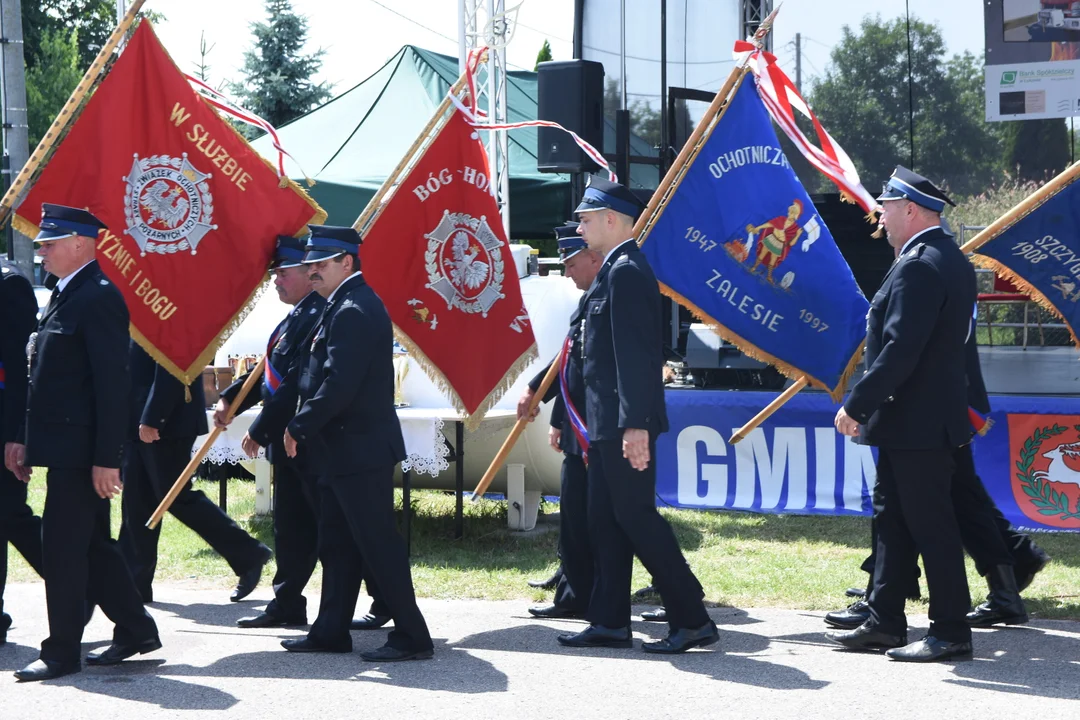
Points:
[16,132]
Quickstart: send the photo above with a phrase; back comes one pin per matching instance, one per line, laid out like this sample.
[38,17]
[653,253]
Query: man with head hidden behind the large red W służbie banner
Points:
[167,417]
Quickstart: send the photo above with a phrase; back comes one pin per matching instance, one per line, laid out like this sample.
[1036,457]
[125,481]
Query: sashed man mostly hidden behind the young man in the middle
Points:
[568,437]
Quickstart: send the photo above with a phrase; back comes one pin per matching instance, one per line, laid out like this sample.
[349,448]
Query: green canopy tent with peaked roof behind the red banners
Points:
[352,144]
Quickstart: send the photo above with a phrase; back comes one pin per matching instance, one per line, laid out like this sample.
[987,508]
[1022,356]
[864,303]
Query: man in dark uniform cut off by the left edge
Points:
[19,525]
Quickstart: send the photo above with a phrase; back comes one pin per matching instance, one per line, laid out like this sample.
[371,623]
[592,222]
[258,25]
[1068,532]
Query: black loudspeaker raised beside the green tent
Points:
[572,94]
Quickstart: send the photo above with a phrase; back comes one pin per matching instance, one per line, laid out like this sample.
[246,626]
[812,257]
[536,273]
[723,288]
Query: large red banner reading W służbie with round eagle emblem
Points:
[193,211]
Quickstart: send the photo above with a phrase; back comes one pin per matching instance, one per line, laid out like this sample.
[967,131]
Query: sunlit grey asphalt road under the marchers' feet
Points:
[493,662]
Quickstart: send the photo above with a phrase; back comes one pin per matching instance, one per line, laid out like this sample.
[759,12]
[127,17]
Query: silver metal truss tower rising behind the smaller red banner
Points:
[488,23]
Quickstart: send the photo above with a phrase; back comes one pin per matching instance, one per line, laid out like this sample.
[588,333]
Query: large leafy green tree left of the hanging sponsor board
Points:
[863,101]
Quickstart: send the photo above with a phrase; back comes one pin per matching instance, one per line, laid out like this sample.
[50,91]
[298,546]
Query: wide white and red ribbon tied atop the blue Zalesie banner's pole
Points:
[782,100]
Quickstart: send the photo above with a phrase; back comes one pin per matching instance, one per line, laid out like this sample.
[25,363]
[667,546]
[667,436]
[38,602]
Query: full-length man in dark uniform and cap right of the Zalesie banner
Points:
[913,405]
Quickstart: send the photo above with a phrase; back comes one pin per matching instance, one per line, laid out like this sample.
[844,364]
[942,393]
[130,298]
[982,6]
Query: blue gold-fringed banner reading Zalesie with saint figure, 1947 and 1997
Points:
[740,244]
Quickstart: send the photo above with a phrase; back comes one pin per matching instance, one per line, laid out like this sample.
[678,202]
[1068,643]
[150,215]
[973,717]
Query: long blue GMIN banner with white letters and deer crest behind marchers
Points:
[798,464]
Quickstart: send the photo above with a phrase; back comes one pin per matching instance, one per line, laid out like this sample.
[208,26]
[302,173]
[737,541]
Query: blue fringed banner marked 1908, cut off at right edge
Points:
[1042,255]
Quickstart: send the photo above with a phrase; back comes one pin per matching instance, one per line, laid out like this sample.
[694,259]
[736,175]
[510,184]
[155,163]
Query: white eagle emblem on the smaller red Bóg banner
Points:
[465,263]
